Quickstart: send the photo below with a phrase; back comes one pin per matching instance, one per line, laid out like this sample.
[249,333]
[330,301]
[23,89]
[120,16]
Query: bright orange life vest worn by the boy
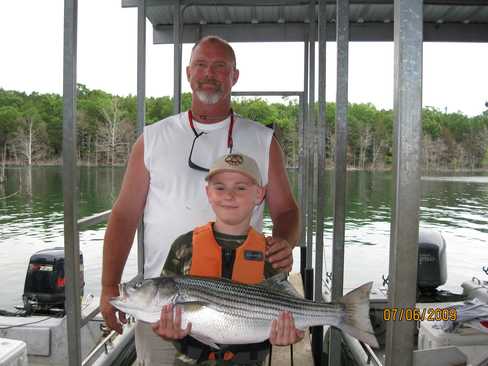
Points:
[207,256]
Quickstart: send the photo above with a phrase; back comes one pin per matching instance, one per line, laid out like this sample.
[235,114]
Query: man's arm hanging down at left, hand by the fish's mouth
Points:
[122,224]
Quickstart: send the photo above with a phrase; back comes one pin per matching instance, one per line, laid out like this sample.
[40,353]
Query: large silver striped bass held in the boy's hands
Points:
[225,312]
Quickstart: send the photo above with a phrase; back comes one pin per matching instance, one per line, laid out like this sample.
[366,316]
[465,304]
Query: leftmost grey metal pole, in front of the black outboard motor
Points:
[70,185]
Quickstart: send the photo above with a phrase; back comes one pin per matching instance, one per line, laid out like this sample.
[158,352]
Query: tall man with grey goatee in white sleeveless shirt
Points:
[165,181]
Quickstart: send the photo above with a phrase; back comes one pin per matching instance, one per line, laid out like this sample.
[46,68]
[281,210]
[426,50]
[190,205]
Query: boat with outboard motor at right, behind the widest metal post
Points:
[436,345]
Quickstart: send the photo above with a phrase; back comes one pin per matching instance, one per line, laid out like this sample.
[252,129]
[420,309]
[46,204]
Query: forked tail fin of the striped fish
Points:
[356,321]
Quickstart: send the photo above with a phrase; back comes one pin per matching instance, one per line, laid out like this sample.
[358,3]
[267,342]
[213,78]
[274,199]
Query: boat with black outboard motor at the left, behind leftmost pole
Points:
[37,332]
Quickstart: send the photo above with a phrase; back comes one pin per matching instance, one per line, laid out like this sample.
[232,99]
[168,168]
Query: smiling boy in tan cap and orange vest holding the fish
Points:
[227,248]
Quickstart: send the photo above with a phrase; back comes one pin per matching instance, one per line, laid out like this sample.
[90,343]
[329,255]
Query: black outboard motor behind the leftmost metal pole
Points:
[44,282]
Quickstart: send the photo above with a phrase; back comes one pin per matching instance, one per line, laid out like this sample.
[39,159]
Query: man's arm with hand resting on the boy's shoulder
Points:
[284,211]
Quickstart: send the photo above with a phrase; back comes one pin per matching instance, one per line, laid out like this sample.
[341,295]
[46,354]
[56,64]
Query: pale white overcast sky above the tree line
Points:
[455,76]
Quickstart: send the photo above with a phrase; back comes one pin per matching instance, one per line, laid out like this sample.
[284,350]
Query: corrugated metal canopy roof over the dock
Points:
[288,20]
